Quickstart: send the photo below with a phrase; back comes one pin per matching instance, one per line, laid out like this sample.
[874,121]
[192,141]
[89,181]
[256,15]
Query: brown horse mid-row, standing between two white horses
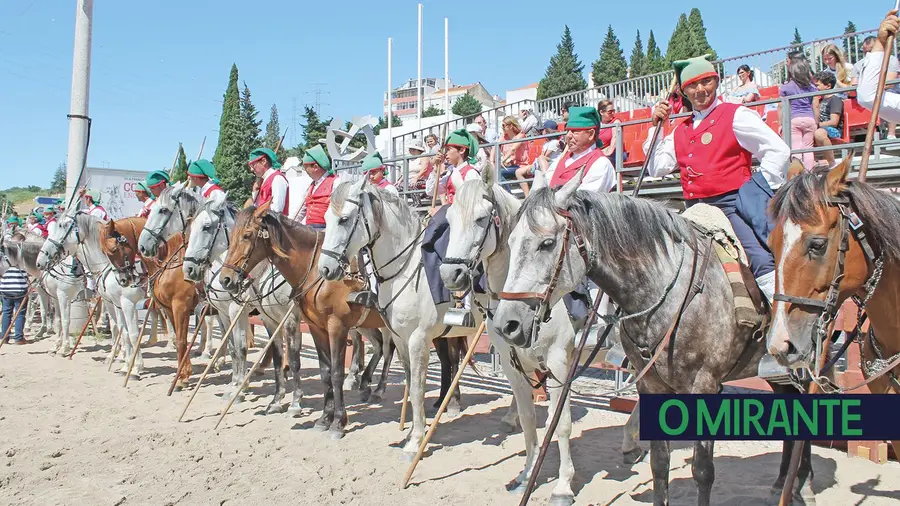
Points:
[258,235]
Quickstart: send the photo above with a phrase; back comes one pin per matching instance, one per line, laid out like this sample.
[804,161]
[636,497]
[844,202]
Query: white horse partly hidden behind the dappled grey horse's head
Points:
[480,220]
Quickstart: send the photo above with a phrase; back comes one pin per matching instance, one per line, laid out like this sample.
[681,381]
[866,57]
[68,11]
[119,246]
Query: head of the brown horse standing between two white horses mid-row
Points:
[249,245]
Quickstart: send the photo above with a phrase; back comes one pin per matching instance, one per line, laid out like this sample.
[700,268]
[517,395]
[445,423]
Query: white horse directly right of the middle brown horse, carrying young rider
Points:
[363,215]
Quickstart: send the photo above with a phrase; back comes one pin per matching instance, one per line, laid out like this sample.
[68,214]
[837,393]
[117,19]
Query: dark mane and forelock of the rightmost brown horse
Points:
[800,199]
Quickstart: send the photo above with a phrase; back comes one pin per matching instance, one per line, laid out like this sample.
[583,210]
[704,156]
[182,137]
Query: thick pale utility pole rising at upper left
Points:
[79,123]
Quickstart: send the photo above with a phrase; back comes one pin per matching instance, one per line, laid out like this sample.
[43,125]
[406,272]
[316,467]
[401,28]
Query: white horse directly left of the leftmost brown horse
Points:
[77,234]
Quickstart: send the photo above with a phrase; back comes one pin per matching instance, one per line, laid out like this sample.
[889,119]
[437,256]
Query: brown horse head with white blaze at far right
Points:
[818,260]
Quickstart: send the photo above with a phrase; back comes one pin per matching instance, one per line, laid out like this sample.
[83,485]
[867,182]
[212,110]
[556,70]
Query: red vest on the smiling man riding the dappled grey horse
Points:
[709,157]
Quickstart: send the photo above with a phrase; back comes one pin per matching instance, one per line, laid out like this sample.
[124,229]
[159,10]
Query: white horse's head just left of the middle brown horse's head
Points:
[206,226]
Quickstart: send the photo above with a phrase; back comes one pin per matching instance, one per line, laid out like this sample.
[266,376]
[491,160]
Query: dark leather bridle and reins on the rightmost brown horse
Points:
[849,223]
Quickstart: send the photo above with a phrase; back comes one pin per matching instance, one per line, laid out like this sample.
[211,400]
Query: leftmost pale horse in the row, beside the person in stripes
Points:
[56,287]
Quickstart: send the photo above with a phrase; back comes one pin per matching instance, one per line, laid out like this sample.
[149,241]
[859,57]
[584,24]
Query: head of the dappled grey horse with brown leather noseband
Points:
[545,262]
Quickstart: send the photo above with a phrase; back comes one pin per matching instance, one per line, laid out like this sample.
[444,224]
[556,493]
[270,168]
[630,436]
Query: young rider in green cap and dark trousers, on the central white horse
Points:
[461,155]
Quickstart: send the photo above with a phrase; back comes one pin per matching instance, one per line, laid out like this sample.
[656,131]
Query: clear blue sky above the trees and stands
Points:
[159,69]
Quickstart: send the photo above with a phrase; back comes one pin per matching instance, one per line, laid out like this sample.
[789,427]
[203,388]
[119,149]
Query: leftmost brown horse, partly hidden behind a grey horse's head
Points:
[170,291]
